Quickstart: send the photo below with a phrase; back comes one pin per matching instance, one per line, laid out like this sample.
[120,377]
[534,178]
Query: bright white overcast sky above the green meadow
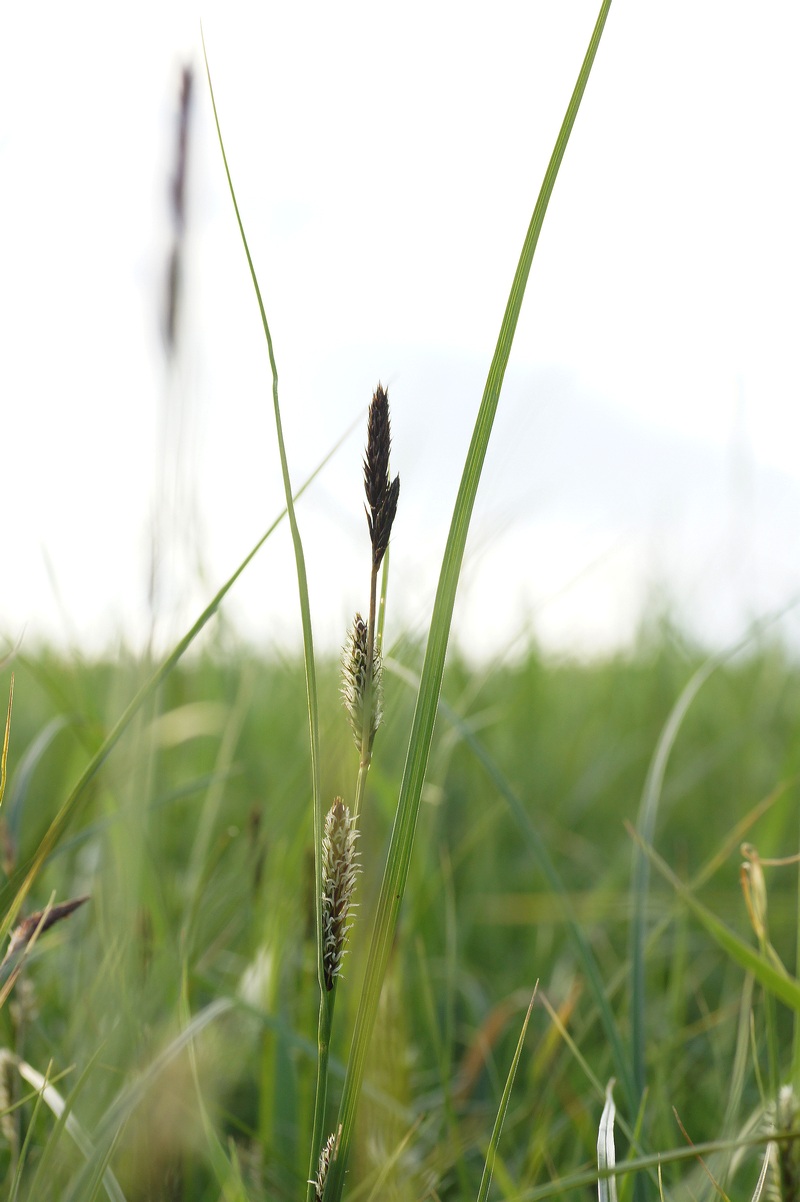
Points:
[387,159]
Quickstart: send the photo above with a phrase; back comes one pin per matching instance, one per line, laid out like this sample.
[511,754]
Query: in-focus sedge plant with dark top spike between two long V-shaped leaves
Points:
[383,497]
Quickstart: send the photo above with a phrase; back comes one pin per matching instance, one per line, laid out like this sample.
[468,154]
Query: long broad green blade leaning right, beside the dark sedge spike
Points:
[397,868]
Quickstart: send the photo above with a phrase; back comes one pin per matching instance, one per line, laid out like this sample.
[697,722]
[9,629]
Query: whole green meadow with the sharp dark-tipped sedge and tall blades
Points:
[176,1036]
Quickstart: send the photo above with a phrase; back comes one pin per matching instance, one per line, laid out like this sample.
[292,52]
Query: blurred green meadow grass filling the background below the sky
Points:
[196,849]
